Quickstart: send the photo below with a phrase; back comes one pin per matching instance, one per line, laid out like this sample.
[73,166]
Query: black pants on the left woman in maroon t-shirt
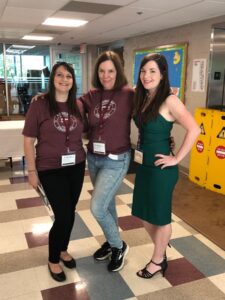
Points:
[62,187]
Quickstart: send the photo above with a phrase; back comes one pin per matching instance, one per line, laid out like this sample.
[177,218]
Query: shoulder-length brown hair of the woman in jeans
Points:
[121,79]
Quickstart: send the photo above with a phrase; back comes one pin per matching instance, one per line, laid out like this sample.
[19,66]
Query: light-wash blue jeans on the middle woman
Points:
[106,176]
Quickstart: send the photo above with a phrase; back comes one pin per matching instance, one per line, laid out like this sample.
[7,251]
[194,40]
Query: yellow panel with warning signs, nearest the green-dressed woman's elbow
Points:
[200,151]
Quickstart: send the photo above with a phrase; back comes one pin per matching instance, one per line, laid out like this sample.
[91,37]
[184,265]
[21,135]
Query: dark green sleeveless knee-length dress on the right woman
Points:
[152,197]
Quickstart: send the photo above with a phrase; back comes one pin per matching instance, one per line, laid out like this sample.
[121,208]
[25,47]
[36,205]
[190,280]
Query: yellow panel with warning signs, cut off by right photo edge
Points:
[216,167]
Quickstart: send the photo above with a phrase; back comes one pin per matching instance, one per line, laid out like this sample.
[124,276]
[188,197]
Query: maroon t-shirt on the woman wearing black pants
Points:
[50,132]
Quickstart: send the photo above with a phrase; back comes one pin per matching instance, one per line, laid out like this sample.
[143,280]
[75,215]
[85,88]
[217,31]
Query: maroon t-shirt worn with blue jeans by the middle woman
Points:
[115,120]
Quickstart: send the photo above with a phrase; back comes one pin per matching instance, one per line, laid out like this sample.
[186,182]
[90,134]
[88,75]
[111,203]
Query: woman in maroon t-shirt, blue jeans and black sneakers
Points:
[109,109]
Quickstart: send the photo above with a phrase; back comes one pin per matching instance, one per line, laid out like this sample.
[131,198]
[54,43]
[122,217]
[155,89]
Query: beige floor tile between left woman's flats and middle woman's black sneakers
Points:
[83,247]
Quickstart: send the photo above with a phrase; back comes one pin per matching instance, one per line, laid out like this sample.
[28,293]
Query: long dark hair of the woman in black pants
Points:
[51,94]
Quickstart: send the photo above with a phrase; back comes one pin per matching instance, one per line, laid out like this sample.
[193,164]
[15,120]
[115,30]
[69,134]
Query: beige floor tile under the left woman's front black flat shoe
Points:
[45,281]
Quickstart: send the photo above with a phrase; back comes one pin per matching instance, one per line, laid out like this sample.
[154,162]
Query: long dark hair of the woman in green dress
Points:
[163,90]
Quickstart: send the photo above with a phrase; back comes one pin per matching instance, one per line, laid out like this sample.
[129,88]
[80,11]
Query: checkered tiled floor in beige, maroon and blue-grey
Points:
[196,265]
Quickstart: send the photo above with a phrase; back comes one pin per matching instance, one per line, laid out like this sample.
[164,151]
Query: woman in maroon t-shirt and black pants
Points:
[58,163]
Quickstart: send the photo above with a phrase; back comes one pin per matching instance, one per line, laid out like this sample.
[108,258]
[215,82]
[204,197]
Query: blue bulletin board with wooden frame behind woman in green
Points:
[176,56]
